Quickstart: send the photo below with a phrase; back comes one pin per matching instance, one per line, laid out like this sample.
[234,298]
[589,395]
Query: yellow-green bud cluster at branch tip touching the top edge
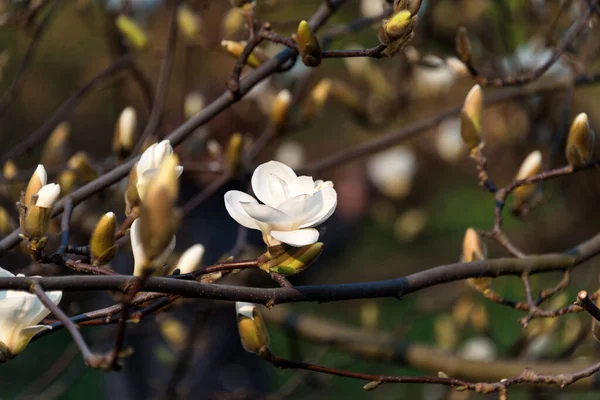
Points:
[397,31]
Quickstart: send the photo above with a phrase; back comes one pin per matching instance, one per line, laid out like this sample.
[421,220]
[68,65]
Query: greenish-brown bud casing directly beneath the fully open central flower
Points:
[288,260]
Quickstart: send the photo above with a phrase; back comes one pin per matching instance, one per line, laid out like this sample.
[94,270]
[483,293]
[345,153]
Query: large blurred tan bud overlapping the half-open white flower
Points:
[159,219]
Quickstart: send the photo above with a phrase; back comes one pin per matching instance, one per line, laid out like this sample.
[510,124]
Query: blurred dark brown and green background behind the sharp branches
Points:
[400,211]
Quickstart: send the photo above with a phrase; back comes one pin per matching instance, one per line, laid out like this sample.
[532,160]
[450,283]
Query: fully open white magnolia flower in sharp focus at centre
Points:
[293,205]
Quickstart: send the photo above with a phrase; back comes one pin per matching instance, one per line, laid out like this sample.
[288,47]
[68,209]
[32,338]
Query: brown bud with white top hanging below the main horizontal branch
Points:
[252,329]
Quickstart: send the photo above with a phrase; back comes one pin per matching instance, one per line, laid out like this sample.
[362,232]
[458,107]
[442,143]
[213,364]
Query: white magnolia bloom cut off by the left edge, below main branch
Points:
[19,314]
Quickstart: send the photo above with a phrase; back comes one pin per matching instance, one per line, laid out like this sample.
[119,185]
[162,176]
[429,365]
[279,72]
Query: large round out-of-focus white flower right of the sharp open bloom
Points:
[392,171]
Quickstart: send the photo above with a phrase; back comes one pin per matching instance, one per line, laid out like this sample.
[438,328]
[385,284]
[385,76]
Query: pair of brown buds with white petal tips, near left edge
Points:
[35,208]
